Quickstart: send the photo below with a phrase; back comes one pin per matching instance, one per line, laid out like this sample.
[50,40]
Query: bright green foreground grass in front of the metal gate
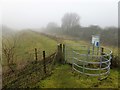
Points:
[64,78]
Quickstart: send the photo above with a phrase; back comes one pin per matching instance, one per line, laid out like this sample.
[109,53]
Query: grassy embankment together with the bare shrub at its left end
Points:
[24,51]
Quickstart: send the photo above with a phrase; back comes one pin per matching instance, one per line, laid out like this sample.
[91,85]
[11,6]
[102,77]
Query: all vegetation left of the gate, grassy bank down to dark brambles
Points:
[26,71]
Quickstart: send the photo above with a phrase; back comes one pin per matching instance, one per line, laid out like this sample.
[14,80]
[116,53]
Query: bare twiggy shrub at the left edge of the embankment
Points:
[8,48]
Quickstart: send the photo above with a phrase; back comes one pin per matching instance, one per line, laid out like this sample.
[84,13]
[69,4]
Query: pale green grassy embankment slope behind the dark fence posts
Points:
[27,42]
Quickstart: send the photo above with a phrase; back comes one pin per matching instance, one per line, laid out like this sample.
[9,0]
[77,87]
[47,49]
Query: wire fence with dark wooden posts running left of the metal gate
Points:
[38,66]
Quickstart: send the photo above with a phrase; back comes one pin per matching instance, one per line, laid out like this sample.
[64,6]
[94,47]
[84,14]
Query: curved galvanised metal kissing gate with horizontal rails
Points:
[88,60]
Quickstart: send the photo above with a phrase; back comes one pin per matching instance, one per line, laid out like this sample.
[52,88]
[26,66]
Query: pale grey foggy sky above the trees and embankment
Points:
[37,13]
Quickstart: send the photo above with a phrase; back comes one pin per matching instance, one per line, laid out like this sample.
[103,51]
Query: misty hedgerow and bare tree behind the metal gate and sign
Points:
[108,35]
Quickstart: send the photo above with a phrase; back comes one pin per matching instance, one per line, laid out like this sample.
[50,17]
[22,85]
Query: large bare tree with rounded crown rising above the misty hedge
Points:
[70,20]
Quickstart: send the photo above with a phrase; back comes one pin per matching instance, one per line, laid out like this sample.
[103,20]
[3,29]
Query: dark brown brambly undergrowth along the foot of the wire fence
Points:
[28,76]
